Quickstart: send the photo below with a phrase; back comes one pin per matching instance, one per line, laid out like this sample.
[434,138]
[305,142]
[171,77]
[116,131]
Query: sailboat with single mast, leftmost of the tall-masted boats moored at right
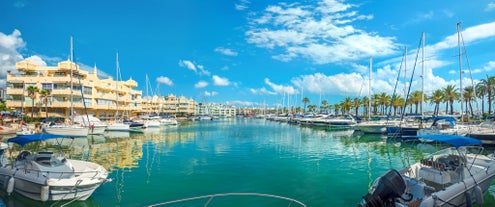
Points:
[372,126]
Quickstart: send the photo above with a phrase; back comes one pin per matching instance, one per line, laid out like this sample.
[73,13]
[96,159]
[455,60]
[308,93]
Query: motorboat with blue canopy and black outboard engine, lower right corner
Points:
[455,176]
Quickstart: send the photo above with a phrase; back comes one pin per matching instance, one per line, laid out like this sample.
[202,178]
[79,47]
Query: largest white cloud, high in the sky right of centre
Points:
[322,34]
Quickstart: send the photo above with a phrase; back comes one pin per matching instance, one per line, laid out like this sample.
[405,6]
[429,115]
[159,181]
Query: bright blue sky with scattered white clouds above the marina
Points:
[256,53]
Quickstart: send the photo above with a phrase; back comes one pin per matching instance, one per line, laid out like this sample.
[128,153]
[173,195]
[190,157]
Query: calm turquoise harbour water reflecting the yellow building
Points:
[314,166]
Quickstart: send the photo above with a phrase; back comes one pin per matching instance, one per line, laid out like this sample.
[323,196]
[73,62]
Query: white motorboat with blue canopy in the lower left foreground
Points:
[47,175]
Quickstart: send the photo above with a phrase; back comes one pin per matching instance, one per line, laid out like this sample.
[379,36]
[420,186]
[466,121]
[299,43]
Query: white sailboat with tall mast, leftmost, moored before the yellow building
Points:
[68,129]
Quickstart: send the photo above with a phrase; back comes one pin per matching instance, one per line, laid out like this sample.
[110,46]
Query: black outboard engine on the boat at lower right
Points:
[389,187]
